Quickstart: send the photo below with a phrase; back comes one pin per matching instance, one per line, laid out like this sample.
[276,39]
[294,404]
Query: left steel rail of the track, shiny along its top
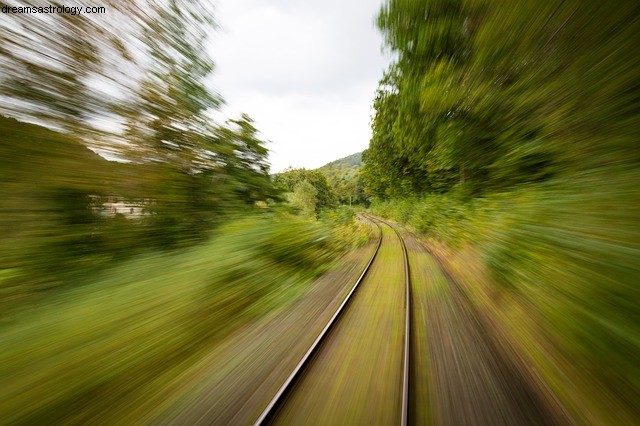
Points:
[275,402]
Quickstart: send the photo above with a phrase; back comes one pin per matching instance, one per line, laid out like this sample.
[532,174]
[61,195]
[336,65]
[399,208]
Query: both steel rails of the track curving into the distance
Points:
[292,383]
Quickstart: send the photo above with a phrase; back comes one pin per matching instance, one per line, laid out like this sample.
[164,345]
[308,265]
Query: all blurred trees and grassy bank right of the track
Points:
[509,134]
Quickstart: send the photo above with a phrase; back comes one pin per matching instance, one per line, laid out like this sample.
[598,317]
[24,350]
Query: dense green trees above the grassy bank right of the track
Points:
[488,96]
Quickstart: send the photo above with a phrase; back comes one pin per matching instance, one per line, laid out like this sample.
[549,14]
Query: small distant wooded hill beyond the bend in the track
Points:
[344,176]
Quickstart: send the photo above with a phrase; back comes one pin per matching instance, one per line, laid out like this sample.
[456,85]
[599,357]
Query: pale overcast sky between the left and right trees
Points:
[305,71]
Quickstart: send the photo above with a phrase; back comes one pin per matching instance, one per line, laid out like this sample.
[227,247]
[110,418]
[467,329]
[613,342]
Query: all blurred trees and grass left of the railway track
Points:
[128,254]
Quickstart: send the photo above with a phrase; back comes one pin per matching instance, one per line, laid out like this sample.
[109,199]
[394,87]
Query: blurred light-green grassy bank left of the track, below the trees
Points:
[131,330]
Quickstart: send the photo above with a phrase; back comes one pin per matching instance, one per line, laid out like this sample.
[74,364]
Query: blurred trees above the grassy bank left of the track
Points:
[130,85]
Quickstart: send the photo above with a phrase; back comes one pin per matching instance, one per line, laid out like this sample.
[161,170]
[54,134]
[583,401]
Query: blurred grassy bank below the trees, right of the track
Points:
[556,265]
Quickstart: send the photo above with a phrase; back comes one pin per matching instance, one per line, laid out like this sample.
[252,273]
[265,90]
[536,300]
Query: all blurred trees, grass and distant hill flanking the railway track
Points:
[136,230]
